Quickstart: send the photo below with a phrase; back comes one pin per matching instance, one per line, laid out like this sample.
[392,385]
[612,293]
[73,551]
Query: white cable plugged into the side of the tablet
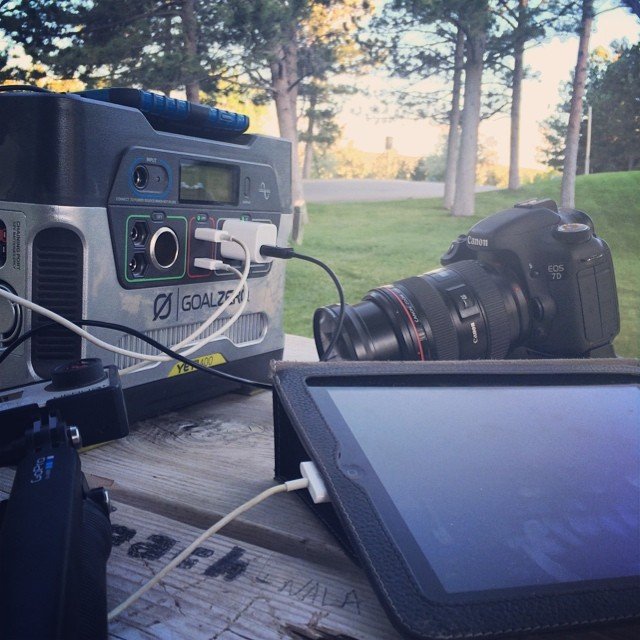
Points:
[310,480]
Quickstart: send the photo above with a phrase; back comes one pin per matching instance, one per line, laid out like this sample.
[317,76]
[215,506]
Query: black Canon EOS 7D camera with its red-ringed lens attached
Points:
[531,281]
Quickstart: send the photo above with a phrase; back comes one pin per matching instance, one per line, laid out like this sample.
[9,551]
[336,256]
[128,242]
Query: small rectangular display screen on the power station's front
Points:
[208,183]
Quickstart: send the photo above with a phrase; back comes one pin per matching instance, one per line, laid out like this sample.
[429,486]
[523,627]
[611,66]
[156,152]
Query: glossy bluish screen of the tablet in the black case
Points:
[501,487]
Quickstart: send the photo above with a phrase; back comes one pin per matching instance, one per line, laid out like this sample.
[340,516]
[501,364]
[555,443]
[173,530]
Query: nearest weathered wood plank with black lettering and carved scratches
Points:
[237,591]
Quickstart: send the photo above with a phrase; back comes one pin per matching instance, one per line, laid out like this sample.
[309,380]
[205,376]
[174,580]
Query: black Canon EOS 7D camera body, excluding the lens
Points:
[565,271]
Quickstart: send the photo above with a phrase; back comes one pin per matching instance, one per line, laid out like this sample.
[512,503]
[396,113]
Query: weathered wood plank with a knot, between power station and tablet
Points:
[197,464]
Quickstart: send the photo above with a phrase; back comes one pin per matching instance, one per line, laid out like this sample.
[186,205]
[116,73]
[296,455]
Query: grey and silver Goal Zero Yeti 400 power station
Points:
[98,212]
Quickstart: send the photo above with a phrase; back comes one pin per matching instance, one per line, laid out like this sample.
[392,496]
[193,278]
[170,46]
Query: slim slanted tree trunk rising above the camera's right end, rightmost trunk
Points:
[575,112]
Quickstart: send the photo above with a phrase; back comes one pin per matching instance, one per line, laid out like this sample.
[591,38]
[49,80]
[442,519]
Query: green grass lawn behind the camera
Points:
[371,244]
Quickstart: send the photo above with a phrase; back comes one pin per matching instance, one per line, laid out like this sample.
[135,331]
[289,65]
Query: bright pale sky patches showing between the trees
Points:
[553,61]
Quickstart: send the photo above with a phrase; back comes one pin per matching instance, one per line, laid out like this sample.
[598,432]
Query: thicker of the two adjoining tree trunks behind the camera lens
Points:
[464,200]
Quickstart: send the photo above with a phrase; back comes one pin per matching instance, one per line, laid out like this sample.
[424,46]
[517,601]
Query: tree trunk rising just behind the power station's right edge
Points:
[284,86]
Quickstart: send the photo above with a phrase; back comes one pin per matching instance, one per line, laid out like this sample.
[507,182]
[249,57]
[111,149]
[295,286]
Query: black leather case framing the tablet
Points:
[299,437]
